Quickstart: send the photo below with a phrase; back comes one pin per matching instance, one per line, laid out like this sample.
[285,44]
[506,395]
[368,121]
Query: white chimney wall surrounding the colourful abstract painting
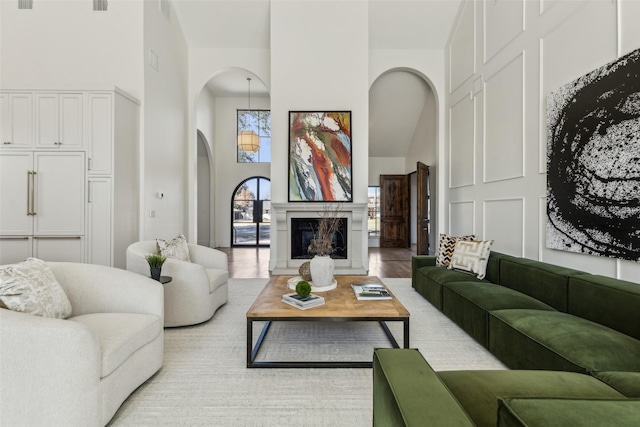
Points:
[319,61]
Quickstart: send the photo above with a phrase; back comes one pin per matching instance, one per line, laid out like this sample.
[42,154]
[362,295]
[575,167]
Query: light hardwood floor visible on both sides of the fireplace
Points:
[383,262]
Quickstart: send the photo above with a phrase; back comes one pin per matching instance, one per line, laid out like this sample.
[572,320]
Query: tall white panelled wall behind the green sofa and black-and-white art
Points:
[504,58]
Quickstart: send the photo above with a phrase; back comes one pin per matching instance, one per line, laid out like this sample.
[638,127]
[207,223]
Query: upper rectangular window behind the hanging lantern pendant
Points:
[254,129]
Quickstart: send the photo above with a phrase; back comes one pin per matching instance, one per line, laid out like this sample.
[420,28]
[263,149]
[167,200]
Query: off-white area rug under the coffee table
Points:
[204,380]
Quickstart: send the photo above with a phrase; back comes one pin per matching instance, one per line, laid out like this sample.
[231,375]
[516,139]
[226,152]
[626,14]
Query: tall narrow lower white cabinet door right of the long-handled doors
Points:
[99,226]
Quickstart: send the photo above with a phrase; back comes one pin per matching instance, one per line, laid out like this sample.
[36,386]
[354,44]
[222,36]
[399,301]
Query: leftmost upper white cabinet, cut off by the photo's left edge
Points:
[16,120]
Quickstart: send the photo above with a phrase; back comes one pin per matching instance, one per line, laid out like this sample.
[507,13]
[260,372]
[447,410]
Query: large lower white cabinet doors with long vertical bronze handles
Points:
[42,212]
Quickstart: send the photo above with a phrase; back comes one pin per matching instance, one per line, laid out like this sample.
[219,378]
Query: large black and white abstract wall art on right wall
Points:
[593,162]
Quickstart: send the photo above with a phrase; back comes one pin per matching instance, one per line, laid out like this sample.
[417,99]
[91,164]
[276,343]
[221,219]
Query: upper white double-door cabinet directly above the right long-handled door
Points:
[59,119]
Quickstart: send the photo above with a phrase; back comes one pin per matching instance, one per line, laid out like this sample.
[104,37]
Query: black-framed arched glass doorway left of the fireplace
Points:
[251,213]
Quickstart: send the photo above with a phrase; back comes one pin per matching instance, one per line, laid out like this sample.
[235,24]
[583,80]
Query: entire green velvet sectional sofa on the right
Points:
[571,340]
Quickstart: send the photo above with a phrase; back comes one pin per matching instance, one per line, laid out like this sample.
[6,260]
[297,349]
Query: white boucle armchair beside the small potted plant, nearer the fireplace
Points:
[197,289]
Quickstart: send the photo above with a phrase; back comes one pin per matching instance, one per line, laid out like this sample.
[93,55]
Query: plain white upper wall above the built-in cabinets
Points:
[62,45]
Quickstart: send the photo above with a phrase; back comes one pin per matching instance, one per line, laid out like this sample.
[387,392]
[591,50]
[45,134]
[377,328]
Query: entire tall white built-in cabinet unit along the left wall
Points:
[69,175]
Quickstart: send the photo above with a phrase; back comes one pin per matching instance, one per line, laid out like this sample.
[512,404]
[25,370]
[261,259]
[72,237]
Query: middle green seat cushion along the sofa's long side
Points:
[468,304]
